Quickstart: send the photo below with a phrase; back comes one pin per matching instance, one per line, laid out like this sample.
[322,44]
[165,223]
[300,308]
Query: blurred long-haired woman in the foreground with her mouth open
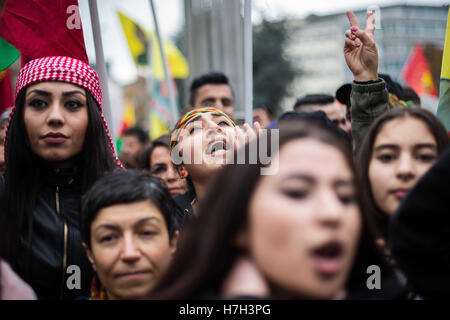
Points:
[293,234]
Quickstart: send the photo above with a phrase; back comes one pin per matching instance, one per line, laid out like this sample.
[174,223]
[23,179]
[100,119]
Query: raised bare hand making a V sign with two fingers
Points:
[360,50]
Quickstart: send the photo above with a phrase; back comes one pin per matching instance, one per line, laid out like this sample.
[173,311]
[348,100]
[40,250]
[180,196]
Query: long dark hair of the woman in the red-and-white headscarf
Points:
[23,171]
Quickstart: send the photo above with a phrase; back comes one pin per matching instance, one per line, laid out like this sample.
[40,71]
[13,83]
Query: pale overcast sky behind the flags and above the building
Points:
[171,20]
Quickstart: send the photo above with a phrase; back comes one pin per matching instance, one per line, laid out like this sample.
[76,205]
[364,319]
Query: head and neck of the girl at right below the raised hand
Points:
[400,147]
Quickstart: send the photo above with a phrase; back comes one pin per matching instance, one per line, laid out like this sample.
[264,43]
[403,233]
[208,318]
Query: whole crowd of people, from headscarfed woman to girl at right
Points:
[347,206]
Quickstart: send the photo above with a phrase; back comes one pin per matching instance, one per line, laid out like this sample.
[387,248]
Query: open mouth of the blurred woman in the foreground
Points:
[327,259]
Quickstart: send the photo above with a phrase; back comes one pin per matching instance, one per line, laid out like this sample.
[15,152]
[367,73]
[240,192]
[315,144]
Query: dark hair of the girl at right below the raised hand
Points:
[380,219]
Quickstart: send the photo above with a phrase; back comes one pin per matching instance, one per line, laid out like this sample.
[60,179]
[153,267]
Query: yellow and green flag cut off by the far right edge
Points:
[443,111]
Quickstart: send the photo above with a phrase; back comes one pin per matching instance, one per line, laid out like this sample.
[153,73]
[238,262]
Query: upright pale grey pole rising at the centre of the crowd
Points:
[248,62]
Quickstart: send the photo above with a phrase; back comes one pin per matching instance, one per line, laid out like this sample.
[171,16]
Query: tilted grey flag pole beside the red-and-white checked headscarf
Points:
[101,66]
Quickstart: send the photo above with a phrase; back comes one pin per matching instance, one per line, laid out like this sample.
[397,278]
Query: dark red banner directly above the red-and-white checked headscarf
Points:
[39,28]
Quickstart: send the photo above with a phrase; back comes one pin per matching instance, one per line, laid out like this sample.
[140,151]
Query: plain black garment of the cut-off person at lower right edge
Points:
[420,232]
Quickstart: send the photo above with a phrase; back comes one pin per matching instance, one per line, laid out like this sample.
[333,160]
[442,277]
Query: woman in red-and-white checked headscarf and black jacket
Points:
[57,145]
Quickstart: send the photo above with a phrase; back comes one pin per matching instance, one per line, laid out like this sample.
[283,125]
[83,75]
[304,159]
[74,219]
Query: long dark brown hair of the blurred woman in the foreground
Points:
[207,247]
